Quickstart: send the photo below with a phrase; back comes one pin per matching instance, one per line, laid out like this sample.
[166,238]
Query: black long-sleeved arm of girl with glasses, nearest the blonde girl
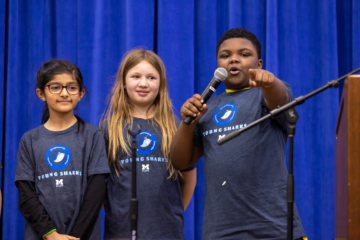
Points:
[90,208]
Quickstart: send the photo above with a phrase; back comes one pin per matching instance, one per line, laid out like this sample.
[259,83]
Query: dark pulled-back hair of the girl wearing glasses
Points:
[48,71]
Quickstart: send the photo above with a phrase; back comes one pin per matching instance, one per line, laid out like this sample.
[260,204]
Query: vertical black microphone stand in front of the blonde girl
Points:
[133,201]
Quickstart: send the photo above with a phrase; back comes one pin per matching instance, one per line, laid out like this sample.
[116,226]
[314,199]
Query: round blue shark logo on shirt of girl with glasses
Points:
[58,157]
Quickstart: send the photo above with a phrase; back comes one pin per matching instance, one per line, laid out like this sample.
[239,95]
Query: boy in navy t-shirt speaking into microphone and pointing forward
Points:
[245,179]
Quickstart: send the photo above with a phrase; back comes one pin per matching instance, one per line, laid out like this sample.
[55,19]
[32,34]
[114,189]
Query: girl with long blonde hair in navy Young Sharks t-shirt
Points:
[140,96]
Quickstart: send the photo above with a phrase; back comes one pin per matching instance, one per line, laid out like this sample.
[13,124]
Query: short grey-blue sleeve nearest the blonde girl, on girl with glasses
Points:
[98,161]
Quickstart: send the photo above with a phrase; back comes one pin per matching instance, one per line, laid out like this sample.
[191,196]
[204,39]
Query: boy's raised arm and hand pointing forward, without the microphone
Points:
[272,88]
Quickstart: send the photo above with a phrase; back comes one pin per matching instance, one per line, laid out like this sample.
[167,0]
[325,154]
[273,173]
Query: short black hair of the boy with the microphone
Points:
[240,33]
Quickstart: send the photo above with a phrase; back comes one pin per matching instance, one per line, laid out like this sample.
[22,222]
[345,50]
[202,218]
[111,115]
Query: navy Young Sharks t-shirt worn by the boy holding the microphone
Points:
[245,178]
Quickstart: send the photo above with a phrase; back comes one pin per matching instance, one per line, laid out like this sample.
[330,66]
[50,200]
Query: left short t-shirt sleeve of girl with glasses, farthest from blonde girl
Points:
[25,167]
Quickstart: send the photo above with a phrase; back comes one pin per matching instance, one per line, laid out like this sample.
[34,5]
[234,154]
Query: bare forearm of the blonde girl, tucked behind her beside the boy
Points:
[187,184]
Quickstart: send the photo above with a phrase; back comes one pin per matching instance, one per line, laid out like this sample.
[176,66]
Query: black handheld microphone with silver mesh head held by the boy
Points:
[219,76]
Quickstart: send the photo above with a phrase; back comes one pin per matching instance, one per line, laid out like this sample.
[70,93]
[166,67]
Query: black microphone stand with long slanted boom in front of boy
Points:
[291,117]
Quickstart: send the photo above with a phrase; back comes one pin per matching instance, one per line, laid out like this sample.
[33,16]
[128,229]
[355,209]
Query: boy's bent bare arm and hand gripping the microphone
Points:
[183,153]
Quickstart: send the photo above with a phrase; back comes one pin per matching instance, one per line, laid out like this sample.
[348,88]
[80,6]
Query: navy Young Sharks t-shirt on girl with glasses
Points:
[60,163]
